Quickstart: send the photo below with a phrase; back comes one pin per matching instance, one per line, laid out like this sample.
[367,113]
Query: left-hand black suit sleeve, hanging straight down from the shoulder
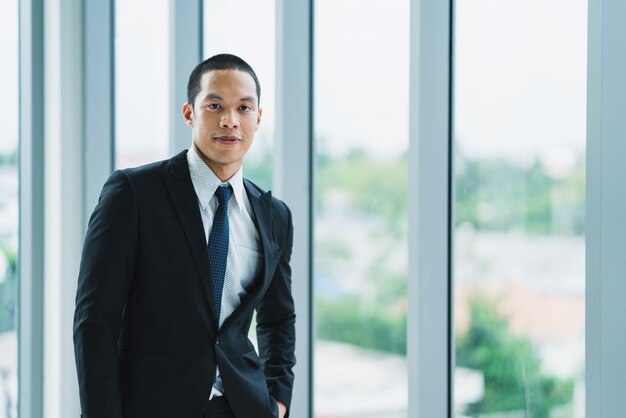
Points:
[106,270]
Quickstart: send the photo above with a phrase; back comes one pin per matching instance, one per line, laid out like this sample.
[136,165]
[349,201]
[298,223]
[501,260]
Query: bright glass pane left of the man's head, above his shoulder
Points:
[141,82]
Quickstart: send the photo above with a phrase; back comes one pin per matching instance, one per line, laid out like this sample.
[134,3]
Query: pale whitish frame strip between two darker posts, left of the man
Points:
[64,200]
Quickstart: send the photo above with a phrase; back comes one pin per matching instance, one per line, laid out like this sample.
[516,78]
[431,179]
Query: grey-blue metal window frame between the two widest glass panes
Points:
[430,196]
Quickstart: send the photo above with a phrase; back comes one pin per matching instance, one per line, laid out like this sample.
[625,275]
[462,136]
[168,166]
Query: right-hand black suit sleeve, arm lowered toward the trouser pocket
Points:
[276,319]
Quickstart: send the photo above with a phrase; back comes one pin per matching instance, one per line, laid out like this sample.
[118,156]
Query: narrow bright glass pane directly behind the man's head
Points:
[251,36]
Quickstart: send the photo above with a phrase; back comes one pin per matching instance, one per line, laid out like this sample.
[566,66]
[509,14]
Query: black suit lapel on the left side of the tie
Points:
[178,181]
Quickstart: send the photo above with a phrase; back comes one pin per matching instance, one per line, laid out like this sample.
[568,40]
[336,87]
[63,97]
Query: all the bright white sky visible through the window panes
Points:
[519,87]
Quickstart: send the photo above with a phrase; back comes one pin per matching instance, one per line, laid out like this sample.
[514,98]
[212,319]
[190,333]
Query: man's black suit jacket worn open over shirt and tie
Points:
[145,334]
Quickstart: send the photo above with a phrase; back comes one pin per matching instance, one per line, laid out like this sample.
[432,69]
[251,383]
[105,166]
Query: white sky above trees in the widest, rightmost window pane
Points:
[520,85]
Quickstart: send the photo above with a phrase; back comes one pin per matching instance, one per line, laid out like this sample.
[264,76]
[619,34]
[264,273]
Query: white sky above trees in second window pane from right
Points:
[362,76]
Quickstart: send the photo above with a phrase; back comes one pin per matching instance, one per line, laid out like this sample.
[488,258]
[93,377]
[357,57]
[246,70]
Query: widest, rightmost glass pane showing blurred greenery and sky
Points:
[519,237]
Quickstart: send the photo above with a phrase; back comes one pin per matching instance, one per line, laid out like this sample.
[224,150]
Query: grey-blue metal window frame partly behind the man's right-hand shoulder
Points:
[293,174]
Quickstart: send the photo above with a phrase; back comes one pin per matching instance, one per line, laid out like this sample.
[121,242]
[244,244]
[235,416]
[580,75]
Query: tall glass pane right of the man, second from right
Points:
[361,79]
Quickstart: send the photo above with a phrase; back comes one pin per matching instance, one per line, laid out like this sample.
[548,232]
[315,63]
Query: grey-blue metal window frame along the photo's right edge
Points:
[605,368]
